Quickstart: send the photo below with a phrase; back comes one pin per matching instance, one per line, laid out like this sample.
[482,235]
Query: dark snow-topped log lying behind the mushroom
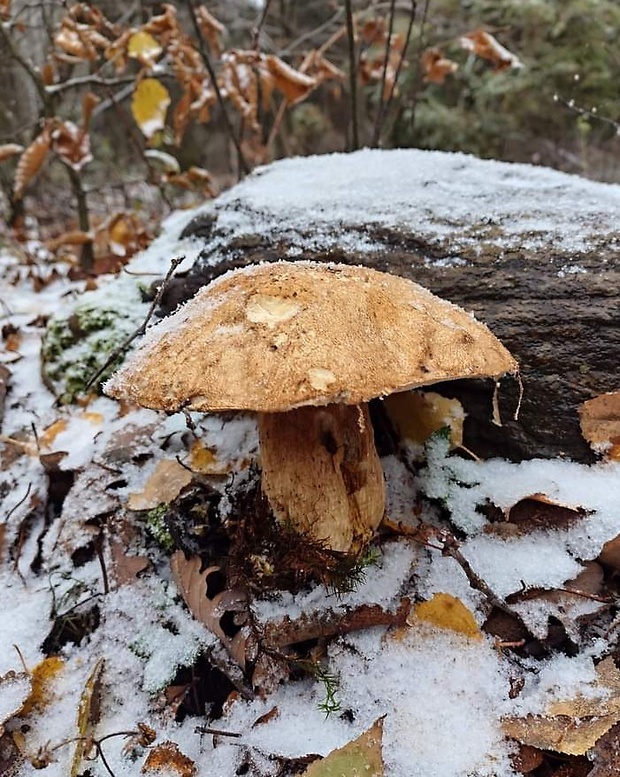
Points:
[531,252]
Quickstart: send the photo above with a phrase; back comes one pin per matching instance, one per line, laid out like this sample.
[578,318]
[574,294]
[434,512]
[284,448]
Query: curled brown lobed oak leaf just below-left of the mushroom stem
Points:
[209,602]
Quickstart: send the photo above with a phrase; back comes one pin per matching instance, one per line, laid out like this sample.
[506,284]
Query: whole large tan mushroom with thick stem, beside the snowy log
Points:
[306,345]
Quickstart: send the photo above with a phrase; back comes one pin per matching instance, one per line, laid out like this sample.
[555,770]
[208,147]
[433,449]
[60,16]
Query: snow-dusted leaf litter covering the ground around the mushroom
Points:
[104,641]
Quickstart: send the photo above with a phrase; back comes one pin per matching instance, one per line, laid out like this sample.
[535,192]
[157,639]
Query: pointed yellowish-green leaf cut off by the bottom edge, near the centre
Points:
[362,756]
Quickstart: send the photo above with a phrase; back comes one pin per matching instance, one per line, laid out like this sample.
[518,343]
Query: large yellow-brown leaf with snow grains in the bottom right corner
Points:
[573,726]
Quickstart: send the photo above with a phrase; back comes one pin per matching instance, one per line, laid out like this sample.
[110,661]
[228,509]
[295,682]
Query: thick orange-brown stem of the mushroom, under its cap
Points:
[322,473]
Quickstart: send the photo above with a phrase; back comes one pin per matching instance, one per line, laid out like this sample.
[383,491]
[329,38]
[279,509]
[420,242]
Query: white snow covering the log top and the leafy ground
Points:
[443,695]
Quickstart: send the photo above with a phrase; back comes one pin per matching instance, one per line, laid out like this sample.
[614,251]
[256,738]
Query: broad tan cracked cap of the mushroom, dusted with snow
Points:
[275,336]
